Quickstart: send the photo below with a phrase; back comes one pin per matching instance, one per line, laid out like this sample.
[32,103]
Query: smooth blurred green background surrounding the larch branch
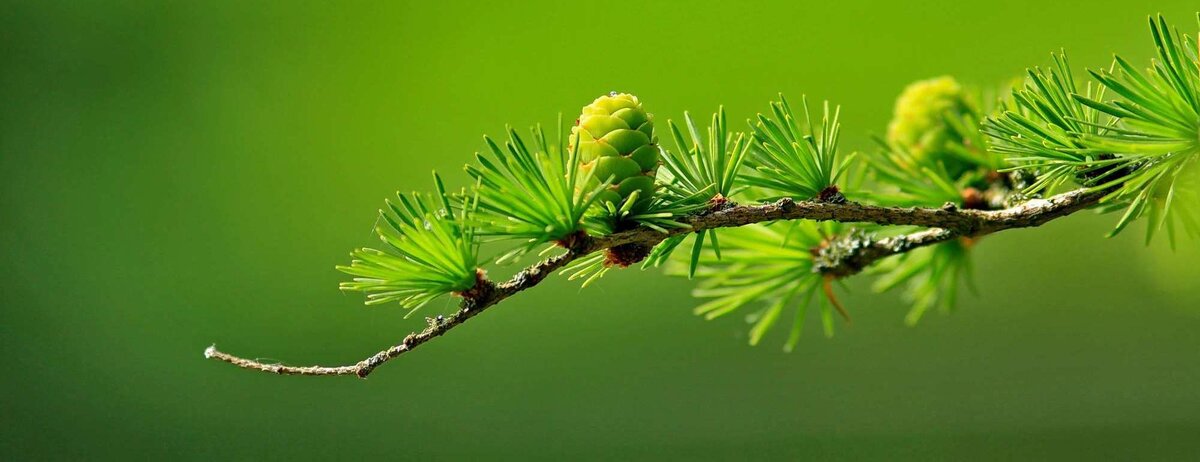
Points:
[181,173]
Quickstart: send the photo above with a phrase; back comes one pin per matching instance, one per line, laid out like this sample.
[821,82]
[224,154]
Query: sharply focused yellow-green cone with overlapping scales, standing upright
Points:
[616,140]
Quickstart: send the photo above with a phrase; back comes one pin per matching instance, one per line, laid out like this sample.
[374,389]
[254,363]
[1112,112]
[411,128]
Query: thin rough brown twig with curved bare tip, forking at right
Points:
[946,224]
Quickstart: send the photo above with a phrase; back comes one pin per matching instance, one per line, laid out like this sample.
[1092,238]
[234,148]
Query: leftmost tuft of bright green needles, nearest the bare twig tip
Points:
[430,251]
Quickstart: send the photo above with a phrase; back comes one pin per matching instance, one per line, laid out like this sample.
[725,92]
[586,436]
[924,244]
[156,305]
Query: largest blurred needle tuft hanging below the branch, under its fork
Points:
[769,268]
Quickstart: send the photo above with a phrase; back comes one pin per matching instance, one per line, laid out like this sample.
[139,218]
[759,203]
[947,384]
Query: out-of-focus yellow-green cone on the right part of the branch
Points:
[919,124]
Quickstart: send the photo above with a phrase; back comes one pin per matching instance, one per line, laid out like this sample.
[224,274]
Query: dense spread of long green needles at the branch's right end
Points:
[1142,148]
